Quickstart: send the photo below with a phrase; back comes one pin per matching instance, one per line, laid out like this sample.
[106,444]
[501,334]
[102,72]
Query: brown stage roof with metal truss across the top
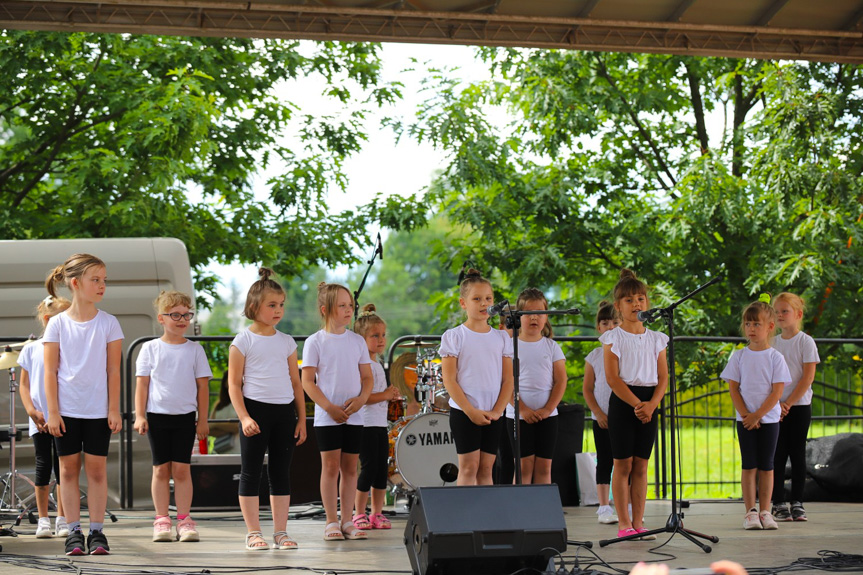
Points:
[825,30]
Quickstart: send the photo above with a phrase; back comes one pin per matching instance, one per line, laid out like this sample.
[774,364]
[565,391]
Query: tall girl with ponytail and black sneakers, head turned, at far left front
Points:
[83,348]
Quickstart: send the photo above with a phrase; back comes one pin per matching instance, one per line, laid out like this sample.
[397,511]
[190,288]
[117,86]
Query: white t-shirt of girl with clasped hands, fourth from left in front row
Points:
[337,358]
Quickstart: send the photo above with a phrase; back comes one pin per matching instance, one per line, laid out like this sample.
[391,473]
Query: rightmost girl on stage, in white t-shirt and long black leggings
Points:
[801,355]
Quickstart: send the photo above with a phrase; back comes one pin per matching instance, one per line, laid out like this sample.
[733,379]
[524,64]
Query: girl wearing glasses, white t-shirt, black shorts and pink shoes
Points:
[172,397]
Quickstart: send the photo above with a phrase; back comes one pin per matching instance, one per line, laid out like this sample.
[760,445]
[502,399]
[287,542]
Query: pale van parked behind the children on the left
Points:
[138,269]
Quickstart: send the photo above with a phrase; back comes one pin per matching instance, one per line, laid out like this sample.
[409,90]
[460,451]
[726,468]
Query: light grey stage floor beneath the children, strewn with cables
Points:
[831,526]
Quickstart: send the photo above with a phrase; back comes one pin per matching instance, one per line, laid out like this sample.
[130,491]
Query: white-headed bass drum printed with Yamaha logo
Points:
[423,452]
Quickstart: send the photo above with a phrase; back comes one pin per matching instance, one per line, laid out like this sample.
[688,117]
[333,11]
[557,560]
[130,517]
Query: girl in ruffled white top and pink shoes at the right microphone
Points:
[637,373]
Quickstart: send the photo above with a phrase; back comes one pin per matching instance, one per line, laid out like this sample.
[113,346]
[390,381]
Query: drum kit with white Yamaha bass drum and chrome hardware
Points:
[422,450]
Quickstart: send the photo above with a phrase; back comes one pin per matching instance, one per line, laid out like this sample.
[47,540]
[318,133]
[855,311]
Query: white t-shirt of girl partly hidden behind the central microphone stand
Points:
[536,373]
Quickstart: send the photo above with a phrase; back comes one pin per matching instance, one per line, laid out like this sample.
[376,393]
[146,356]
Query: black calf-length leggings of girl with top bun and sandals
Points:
[277,423]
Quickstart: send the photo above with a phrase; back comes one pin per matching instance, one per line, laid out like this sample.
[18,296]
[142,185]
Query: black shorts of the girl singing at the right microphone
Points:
[629,437]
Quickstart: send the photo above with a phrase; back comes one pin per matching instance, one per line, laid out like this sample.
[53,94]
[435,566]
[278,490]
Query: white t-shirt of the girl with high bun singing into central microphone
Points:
[480,363]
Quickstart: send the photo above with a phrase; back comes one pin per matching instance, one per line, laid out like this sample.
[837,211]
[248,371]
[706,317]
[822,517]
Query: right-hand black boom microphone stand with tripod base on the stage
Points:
[675,520]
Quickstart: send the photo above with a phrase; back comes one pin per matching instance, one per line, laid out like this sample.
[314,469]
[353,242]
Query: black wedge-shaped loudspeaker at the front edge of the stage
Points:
[484,529]
